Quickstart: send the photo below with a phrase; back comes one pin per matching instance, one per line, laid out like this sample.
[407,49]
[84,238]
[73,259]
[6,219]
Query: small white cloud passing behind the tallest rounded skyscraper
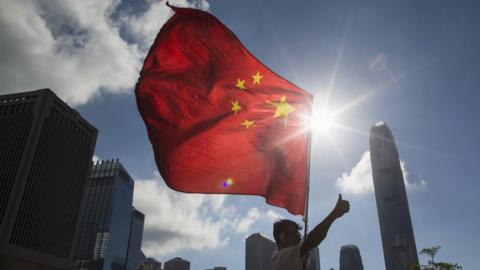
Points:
[360,181]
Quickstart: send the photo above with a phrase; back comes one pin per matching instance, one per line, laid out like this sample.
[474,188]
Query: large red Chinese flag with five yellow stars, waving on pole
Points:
[218,119]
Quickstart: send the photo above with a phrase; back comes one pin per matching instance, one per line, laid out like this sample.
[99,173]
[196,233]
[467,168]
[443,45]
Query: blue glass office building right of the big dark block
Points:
[107,221]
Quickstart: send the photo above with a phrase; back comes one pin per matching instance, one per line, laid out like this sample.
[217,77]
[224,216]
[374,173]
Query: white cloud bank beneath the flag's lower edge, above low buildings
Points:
[179,221]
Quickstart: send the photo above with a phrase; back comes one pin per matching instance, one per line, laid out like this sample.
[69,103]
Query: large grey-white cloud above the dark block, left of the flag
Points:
[74,47]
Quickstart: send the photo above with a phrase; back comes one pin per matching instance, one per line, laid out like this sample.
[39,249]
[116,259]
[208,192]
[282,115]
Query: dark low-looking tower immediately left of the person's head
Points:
[258,252]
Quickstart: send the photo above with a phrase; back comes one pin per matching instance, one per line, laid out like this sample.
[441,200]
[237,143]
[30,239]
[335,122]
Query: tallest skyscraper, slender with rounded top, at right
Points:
[396,228]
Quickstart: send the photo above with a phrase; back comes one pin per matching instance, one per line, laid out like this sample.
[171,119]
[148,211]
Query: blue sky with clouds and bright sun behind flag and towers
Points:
[90,53]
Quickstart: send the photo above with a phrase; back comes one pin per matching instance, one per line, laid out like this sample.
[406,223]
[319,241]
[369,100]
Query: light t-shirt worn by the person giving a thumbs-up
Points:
[288,258]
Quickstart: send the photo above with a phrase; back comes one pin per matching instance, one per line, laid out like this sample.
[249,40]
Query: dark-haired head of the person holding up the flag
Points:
[286,233]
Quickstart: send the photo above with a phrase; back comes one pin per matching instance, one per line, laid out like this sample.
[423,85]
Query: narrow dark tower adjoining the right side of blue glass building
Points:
[135,240]
